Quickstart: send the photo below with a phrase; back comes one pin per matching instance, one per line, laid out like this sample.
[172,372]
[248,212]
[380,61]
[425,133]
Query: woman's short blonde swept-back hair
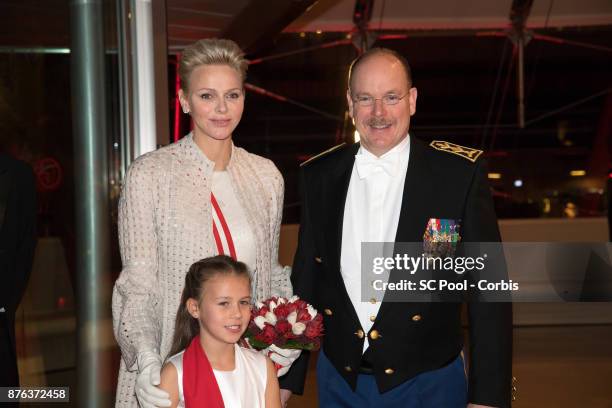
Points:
[211,51]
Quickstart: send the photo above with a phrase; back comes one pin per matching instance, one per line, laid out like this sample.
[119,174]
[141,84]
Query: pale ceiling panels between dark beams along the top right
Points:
[337,15]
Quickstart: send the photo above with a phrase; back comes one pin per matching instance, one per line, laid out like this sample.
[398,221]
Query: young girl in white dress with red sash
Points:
[207,367]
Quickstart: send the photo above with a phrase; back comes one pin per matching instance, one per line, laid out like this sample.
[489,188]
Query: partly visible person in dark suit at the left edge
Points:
[17,242]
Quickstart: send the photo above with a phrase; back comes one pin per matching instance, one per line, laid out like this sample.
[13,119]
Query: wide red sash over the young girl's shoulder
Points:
[200,388]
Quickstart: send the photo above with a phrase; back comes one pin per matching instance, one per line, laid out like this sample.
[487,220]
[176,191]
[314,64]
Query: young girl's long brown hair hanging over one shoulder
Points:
[186,326]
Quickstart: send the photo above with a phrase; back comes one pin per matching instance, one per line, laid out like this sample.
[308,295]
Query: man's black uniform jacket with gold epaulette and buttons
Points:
[445,182]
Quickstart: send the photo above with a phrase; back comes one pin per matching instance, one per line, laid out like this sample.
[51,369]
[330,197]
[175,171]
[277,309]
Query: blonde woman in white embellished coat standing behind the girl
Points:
[196,198]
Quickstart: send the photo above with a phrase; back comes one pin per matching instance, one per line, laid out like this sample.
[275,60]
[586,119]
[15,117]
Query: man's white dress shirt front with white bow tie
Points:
[371,214]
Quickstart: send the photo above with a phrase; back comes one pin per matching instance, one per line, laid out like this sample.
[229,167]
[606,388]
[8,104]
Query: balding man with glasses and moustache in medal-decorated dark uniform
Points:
[388,188]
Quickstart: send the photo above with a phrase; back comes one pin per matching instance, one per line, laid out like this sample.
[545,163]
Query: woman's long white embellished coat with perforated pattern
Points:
[165,225]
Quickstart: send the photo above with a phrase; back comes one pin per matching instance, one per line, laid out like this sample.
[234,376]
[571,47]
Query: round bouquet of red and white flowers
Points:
[285,323]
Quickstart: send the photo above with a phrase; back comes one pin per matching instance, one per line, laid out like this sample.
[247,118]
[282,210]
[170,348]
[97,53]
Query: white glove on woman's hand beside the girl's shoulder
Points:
[147,392]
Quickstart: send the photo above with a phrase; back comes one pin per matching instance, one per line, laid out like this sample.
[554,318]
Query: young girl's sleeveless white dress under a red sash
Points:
[244,387]
